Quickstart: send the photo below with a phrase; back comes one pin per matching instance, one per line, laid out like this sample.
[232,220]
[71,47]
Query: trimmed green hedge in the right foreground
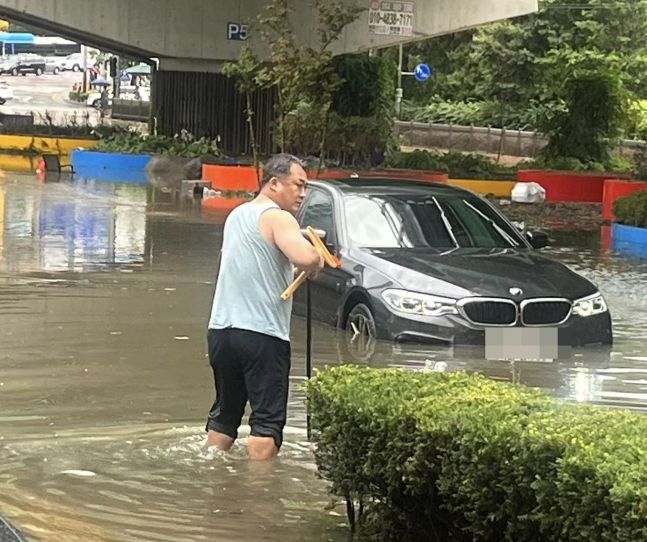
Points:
[435,456]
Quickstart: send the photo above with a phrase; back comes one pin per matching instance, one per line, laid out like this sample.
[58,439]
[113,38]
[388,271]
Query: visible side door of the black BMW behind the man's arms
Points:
[326,290]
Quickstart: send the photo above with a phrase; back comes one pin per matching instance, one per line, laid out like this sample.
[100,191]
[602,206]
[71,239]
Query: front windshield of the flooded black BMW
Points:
[438,221]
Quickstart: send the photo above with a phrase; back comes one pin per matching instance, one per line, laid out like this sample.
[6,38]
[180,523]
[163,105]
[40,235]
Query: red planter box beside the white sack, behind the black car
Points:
[567,185]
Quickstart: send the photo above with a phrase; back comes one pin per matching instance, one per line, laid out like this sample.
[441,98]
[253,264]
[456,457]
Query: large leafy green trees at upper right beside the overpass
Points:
[526,68]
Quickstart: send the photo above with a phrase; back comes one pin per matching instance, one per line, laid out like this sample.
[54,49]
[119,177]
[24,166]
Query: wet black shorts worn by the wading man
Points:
[249,366]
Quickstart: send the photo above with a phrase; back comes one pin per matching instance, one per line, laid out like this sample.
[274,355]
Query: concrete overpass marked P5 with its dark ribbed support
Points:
[191,39]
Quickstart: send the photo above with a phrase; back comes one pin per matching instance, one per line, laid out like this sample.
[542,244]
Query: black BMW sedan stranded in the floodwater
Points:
[431,263]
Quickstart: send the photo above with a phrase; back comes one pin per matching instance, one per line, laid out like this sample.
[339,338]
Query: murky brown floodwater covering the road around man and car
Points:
[105,291]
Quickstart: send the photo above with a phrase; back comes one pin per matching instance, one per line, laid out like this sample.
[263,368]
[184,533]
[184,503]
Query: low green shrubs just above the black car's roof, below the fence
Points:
[456,164]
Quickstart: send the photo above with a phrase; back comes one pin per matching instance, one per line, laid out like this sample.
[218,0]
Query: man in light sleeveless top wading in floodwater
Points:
[248,337]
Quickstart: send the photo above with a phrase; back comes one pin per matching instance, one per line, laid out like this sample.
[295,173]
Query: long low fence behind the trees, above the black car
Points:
[483,139]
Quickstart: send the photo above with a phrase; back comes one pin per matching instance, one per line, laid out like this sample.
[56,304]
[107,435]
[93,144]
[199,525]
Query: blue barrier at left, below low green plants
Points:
[108,166]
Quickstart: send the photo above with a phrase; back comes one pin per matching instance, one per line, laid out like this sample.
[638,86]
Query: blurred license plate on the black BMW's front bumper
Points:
[521,343]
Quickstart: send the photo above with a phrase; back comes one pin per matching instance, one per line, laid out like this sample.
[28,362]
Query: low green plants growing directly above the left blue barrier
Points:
[184,145]
